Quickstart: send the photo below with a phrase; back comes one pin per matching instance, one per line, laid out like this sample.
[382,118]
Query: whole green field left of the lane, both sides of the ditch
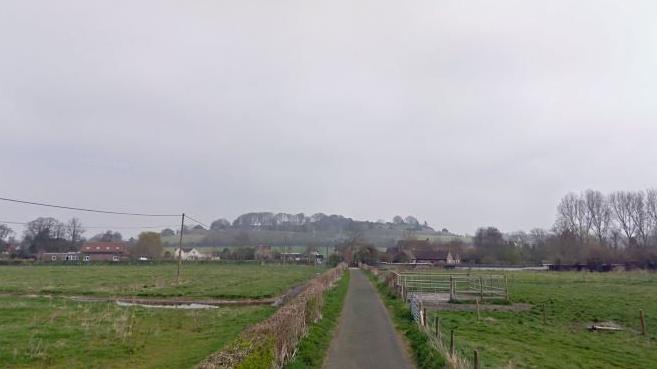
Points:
[40,327]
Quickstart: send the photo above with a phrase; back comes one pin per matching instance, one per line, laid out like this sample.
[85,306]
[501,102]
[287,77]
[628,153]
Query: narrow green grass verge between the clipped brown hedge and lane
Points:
[313,348]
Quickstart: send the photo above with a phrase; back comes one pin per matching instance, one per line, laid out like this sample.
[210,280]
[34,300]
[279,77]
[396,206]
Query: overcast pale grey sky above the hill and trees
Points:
[462,113]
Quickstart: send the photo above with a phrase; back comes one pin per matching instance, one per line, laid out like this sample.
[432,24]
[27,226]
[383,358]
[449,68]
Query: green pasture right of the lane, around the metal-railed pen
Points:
[573,302]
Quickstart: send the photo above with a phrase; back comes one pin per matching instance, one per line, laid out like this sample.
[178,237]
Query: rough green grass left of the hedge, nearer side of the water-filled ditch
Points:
[58,333]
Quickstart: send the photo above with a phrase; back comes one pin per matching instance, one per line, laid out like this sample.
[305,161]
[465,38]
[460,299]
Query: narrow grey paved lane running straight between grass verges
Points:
[365,338]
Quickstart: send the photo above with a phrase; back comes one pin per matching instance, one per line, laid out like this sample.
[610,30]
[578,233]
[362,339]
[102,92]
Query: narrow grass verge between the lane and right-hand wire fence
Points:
[426,357]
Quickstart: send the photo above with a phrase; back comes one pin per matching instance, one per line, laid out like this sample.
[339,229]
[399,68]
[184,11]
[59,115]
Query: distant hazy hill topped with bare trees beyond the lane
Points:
[319,229]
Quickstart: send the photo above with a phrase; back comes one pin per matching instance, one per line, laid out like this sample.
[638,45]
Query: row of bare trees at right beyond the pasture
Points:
[590,228]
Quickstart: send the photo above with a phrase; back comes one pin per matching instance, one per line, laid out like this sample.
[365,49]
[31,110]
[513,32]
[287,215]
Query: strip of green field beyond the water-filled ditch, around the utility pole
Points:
[157,280]
